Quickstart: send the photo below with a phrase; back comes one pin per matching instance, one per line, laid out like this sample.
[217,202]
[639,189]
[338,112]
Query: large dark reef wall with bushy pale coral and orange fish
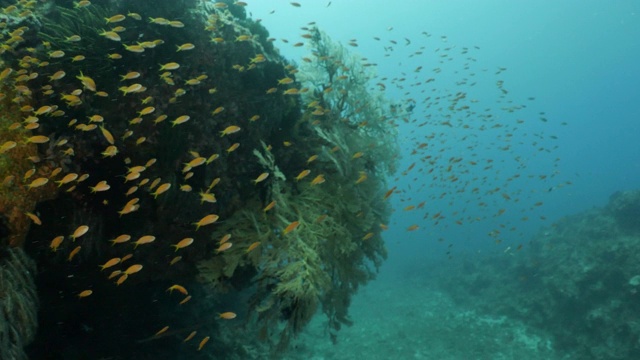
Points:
[156,122]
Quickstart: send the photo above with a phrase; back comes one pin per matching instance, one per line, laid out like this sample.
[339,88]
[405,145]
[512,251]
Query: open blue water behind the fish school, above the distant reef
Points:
[578,59]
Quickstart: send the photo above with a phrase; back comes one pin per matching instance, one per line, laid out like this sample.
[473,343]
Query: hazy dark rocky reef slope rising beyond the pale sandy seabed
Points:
[578,280]
